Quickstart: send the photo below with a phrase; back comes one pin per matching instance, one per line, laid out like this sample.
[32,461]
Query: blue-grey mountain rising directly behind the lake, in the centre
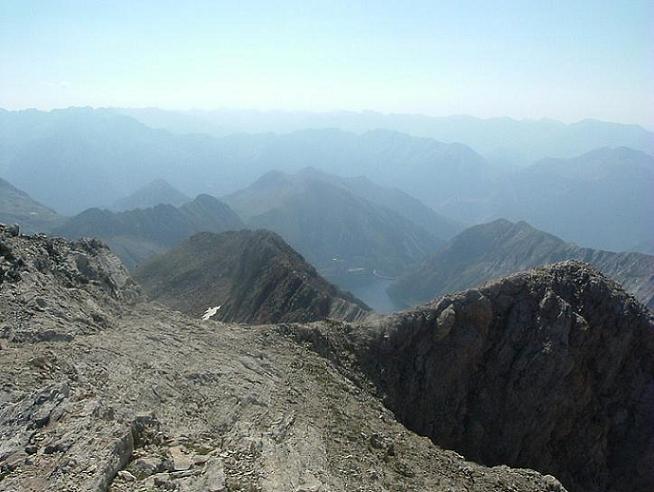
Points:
[334,229]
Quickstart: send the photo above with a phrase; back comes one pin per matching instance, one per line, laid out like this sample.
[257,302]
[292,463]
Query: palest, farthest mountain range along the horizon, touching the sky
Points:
[502,140]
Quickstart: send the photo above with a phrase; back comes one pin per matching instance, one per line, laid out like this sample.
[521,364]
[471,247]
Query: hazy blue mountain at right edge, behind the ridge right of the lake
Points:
[601,199]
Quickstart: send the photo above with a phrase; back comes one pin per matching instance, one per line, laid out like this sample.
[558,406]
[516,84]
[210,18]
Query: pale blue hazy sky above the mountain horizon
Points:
[562,59]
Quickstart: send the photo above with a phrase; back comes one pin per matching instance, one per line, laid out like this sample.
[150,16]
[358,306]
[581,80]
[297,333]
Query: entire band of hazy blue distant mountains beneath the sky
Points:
[598,199]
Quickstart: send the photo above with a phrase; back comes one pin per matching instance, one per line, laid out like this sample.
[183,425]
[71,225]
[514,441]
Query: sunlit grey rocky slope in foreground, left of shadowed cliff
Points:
[136,397]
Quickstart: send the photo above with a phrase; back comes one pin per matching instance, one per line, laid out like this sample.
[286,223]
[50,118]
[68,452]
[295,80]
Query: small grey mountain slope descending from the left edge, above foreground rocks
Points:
[18,207]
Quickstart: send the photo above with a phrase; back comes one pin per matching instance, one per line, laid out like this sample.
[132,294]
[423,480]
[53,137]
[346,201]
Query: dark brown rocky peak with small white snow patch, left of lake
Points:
[250,276]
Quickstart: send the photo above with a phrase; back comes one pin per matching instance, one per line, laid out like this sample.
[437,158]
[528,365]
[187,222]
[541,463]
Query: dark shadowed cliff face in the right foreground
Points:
[551,369]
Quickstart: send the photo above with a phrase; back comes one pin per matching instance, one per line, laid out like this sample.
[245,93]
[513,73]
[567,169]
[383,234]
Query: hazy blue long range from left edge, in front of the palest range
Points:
[96,155]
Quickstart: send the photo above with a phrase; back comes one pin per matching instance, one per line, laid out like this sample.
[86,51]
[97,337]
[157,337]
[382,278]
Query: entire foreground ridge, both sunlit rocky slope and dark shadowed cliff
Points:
[548,370]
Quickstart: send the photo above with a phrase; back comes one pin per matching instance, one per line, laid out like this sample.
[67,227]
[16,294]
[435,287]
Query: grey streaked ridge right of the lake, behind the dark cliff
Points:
[499,248]
